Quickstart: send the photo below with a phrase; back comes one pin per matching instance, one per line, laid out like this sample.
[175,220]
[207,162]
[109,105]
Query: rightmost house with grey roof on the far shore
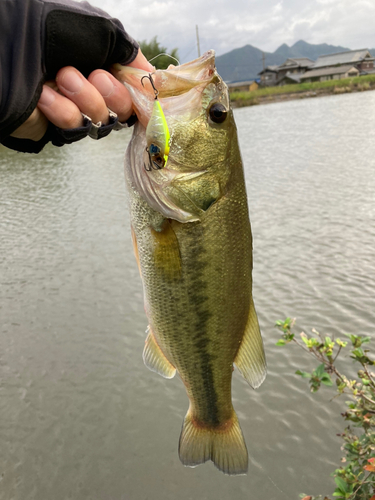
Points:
[340,65]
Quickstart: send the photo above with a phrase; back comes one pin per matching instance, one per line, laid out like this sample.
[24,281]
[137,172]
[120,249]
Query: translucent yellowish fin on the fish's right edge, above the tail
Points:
[250,359]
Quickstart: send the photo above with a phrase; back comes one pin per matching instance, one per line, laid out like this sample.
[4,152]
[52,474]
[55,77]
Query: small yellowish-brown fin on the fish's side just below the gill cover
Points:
[167,256]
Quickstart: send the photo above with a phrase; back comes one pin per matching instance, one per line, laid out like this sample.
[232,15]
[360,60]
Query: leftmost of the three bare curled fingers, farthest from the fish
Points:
[59,110]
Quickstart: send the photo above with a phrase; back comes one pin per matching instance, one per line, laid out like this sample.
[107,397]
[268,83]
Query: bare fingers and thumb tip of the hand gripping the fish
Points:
[65,99]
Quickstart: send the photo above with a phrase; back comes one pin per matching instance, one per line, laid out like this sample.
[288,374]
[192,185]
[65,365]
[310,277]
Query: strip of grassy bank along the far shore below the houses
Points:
[302,91]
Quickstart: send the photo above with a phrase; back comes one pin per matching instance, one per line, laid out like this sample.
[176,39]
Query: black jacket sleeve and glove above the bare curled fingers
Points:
[38,37]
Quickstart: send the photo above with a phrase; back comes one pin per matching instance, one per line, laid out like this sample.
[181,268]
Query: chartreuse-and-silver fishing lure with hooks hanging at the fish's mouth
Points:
[157,134]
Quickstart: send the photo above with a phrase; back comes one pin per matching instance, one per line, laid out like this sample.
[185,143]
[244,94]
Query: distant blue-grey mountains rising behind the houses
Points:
[245,63]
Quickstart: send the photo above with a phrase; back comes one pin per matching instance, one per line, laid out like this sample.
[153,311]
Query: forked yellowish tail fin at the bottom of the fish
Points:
[224,445]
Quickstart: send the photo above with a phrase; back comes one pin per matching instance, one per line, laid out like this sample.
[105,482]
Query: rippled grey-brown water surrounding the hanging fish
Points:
[81,416]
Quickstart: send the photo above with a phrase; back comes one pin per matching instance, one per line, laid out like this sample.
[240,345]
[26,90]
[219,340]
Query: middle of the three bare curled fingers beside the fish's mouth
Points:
[75,86]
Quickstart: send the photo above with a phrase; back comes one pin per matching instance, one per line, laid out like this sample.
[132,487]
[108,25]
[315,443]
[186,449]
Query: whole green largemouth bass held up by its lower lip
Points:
[193,244]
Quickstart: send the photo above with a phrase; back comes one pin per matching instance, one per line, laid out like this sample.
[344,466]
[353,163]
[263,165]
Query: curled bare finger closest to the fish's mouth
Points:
[115,95]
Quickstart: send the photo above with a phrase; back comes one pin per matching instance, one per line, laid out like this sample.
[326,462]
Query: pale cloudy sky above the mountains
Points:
[228,24]
